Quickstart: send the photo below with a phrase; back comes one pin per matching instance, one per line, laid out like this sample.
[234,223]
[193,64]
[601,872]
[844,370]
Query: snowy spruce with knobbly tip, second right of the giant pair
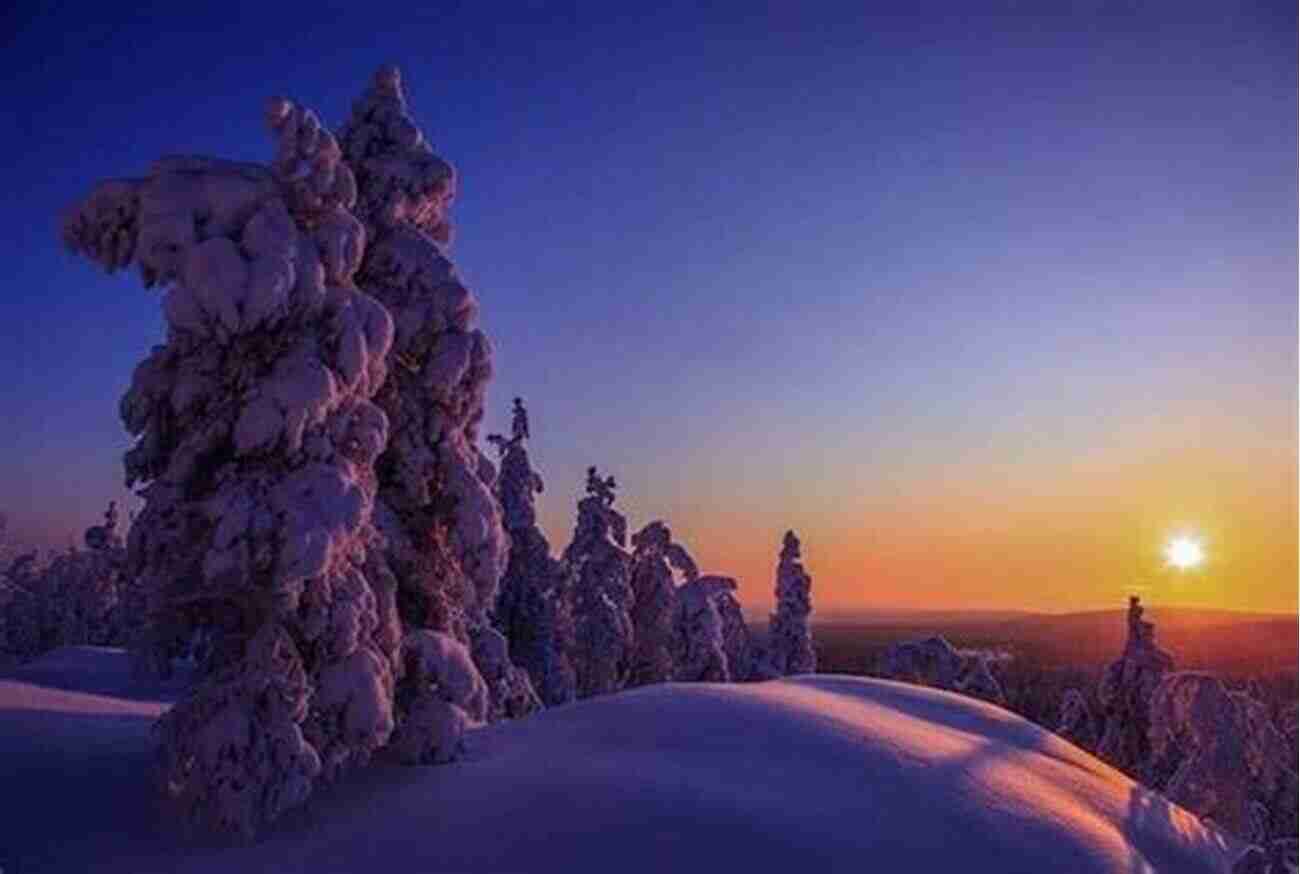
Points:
[603,591]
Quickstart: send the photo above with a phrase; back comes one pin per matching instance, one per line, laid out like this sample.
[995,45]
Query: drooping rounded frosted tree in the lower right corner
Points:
[1233,763]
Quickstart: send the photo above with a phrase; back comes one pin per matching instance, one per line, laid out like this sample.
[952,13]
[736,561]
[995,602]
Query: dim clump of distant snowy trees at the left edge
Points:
[81,596]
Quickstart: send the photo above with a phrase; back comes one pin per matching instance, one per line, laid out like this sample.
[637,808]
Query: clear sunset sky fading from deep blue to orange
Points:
[986,305]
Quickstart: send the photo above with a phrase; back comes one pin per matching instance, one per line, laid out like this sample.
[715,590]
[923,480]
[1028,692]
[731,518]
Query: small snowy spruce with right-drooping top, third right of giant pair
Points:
[655,592]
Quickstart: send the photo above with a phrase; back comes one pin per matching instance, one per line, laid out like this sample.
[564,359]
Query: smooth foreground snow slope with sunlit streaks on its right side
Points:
[811,775]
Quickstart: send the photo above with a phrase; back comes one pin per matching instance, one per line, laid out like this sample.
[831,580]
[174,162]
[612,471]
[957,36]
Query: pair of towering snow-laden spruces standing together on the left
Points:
[306,440]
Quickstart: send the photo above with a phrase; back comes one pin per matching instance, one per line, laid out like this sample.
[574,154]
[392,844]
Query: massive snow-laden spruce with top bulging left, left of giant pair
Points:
[257,442]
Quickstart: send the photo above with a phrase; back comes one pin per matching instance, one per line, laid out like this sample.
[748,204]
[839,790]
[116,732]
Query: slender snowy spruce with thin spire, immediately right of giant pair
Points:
[534,602]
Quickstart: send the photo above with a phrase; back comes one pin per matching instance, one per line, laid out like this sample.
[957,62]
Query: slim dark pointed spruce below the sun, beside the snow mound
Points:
[1126,694]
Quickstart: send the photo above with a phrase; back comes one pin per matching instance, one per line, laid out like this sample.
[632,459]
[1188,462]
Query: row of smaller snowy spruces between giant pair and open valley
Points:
[616,612]
